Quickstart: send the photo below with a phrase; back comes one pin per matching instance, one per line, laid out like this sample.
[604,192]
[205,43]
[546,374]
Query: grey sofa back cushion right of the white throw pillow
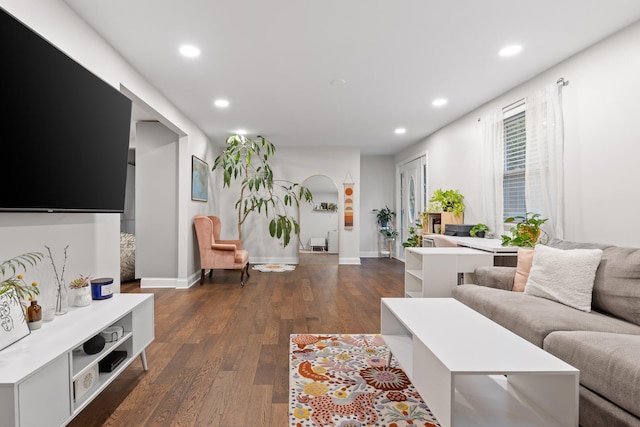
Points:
[617,285]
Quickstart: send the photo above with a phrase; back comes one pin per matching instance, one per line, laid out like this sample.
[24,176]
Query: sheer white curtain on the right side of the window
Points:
[544,176]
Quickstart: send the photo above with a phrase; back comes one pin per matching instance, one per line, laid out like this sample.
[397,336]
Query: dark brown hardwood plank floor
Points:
[220,354]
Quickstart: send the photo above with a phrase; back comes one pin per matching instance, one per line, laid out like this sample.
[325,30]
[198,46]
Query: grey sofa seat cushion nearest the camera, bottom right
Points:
[608,363]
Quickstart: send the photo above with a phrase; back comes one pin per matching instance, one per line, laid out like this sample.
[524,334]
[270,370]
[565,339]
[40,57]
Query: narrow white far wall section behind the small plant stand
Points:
[378,174]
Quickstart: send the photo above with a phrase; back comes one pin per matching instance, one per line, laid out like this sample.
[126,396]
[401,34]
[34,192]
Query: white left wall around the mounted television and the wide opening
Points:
[94,238]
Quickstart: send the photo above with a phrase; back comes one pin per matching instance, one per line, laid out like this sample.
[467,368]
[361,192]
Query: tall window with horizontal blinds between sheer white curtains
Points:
[514,163]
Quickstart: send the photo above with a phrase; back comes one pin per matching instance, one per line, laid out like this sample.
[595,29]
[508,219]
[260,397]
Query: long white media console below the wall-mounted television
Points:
[37,373]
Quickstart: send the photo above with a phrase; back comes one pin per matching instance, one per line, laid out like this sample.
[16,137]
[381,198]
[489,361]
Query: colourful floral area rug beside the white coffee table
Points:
[344,381]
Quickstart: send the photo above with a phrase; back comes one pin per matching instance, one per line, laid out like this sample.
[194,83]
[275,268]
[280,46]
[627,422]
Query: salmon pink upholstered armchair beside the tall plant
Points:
[216,253]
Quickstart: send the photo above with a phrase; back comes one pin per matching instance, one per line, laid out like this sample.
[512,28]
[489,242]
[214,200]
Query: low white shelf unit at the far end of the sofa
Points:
[433,272]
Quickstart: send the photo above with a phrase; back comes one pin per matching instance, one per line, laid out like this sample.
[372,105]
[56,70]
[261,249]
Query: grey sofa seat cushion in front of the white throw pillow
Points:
[534,318]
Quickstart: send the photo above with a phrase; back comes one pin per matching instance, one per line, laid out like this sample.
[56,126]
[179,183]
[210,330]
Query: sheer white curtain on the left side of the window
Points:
[493,170]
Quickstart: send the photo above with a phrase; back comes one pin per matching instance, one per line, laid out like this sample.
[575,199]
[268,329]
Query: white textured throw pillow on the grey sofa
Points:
[564,275]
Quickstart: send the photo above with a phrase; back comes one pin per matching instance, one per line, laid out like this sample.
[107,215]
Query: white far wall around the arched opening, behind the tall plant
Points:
[296,165]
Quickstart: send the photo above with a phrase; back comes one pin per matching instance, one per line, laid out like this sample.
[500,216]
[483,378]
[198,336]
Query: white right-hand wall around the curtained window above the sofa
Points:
[601,142]
